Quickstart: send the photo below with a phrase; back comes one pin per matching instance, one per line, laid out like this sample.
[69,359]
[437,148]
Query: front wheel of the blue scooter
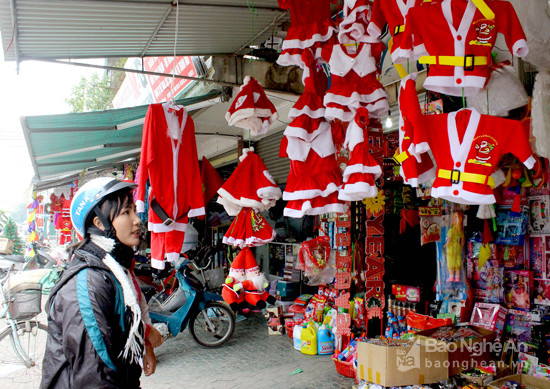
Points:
[212,326]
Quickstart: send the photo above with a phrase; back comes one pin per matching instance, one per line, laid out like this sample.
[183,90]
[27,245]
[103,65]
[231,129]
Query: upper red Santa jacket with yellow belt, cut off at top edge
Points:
[456,40]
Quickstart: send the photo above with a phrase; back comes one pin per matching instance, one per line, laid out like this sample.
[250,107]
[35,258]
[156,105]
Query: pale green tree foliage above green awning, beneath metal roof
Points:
[96,92]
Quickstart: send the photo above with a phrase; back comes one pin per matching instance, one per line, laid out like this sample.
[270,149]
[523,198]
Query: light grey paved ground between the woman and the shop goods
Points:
[251,359]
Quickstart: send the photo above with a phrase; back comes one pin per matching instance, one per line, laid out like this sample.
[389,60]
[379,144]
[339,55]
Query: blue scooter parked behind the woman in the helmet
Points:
[210,321]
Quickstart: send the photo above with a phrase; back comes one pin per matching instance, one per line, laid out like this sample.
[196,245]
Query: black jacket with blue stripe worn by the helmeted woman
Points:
[86,334]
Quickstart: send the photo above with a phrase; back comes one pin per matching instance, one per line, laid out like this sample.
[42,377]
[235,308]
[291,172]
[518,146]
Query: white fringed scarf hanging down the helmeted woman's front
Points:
[132,349]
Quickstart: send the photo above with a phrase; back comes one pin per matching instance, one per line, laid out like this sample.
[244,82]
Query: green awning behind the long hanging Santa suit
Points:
[62,146]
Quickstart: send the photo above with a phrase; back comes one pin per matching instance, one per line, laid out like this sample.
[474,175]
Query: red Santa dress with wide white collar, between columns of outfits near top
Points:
[353,82]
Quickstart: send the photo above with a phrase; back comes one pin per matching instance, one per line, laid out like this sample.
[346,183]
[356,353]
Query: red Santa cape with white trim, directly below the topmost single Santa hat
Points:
[250,185]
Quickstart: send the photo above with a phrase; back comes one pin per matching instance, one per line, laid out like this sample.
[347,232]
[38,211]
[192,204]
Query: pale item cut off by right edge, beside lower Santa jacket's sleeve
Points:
[541,114]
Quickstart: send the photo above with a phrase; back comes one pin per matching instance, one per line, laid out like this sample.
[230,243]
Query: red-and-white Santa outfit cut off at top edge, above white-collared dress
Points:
[353,28]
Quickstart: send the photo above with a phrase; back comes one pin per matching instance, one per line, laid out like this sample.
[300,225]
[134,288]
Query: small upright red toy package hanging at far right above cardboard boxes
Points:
[518,288]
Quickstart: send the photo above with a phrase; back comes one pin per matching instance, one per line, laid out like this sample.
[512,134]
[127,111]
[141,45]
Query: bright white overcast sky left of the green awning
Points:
[40,88]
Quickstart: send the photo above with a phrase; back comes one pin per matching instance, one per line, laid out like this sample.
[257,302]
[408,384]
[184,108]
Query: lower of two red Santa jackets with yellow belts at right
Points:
[467,148]
